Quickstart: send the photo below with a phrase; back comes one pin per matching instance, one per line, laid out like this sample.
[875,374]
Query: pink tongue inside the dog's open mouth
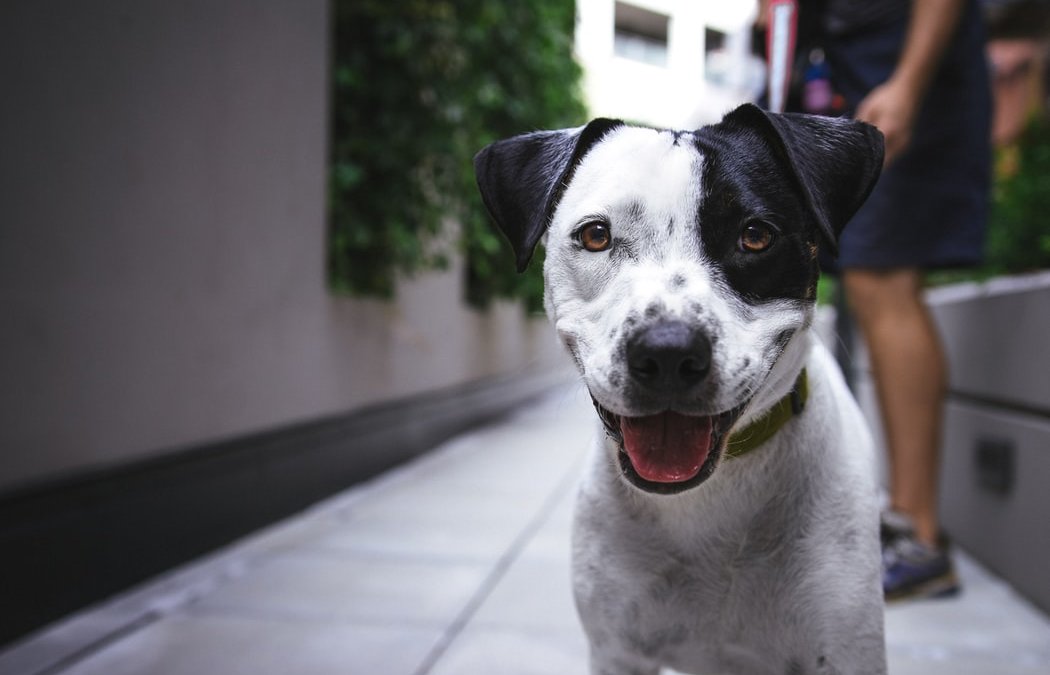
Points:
[667,448]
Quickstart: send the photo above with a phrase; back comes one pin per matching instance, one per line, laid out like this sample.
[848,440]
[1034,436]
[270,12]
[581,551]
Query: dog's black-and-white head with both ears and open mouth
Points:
[680,264]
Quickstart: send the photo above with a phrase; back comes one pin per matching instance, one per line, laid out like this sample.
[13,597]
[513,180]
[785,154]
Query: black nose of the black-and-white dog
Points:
[671,356]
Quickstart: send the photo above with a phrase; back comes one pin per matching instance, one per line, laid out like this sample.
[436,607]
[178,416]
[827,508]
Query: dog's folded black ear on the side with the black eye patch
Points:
[835,161]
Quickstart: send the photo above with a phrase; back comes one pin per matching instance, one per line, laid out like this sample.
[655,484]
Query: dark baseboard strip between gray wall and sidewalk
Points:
[74,542]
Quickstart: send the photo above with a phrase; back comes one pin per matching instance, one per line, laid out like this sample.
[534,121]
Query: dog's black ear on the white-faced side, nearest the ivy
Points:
[522,180]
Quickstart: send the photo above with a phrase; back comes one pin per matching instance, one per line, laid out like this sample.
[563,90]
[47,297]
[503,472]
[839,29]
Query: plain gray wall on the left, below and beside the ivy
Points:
[162,241]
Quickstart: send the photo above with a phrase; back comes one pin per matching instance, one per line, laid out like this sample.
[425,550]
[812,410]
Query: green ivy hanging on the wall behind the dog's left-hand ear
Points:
[421,87]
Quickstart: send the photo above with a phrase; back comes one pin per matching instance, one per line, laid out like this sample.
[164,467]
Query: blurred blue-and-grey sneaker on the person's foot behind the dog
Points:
[911,569]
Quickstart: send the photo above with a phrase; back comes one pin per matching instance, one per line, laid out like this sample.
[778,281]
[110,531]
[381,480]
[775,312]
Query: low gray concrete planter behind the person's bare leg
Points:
[996,459]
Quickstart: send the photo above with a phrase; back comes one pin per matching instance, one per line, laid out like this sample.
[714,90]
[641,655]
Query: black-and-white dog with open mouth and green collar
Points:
[727,522]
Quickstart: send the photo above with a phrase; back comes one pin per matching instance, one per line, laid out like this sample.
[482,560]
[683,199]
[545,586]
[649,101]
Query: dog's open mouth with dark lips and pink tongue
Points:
[668,453]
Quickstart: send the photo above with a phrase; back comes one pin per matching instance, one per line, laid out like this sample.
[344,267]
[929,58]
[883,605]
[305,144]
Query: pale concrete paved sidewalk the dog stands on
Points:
[456,564]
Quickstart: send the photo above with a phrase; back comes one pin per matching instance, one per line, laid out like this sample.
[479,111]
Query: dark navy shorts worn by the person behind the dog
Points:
[930,208]
